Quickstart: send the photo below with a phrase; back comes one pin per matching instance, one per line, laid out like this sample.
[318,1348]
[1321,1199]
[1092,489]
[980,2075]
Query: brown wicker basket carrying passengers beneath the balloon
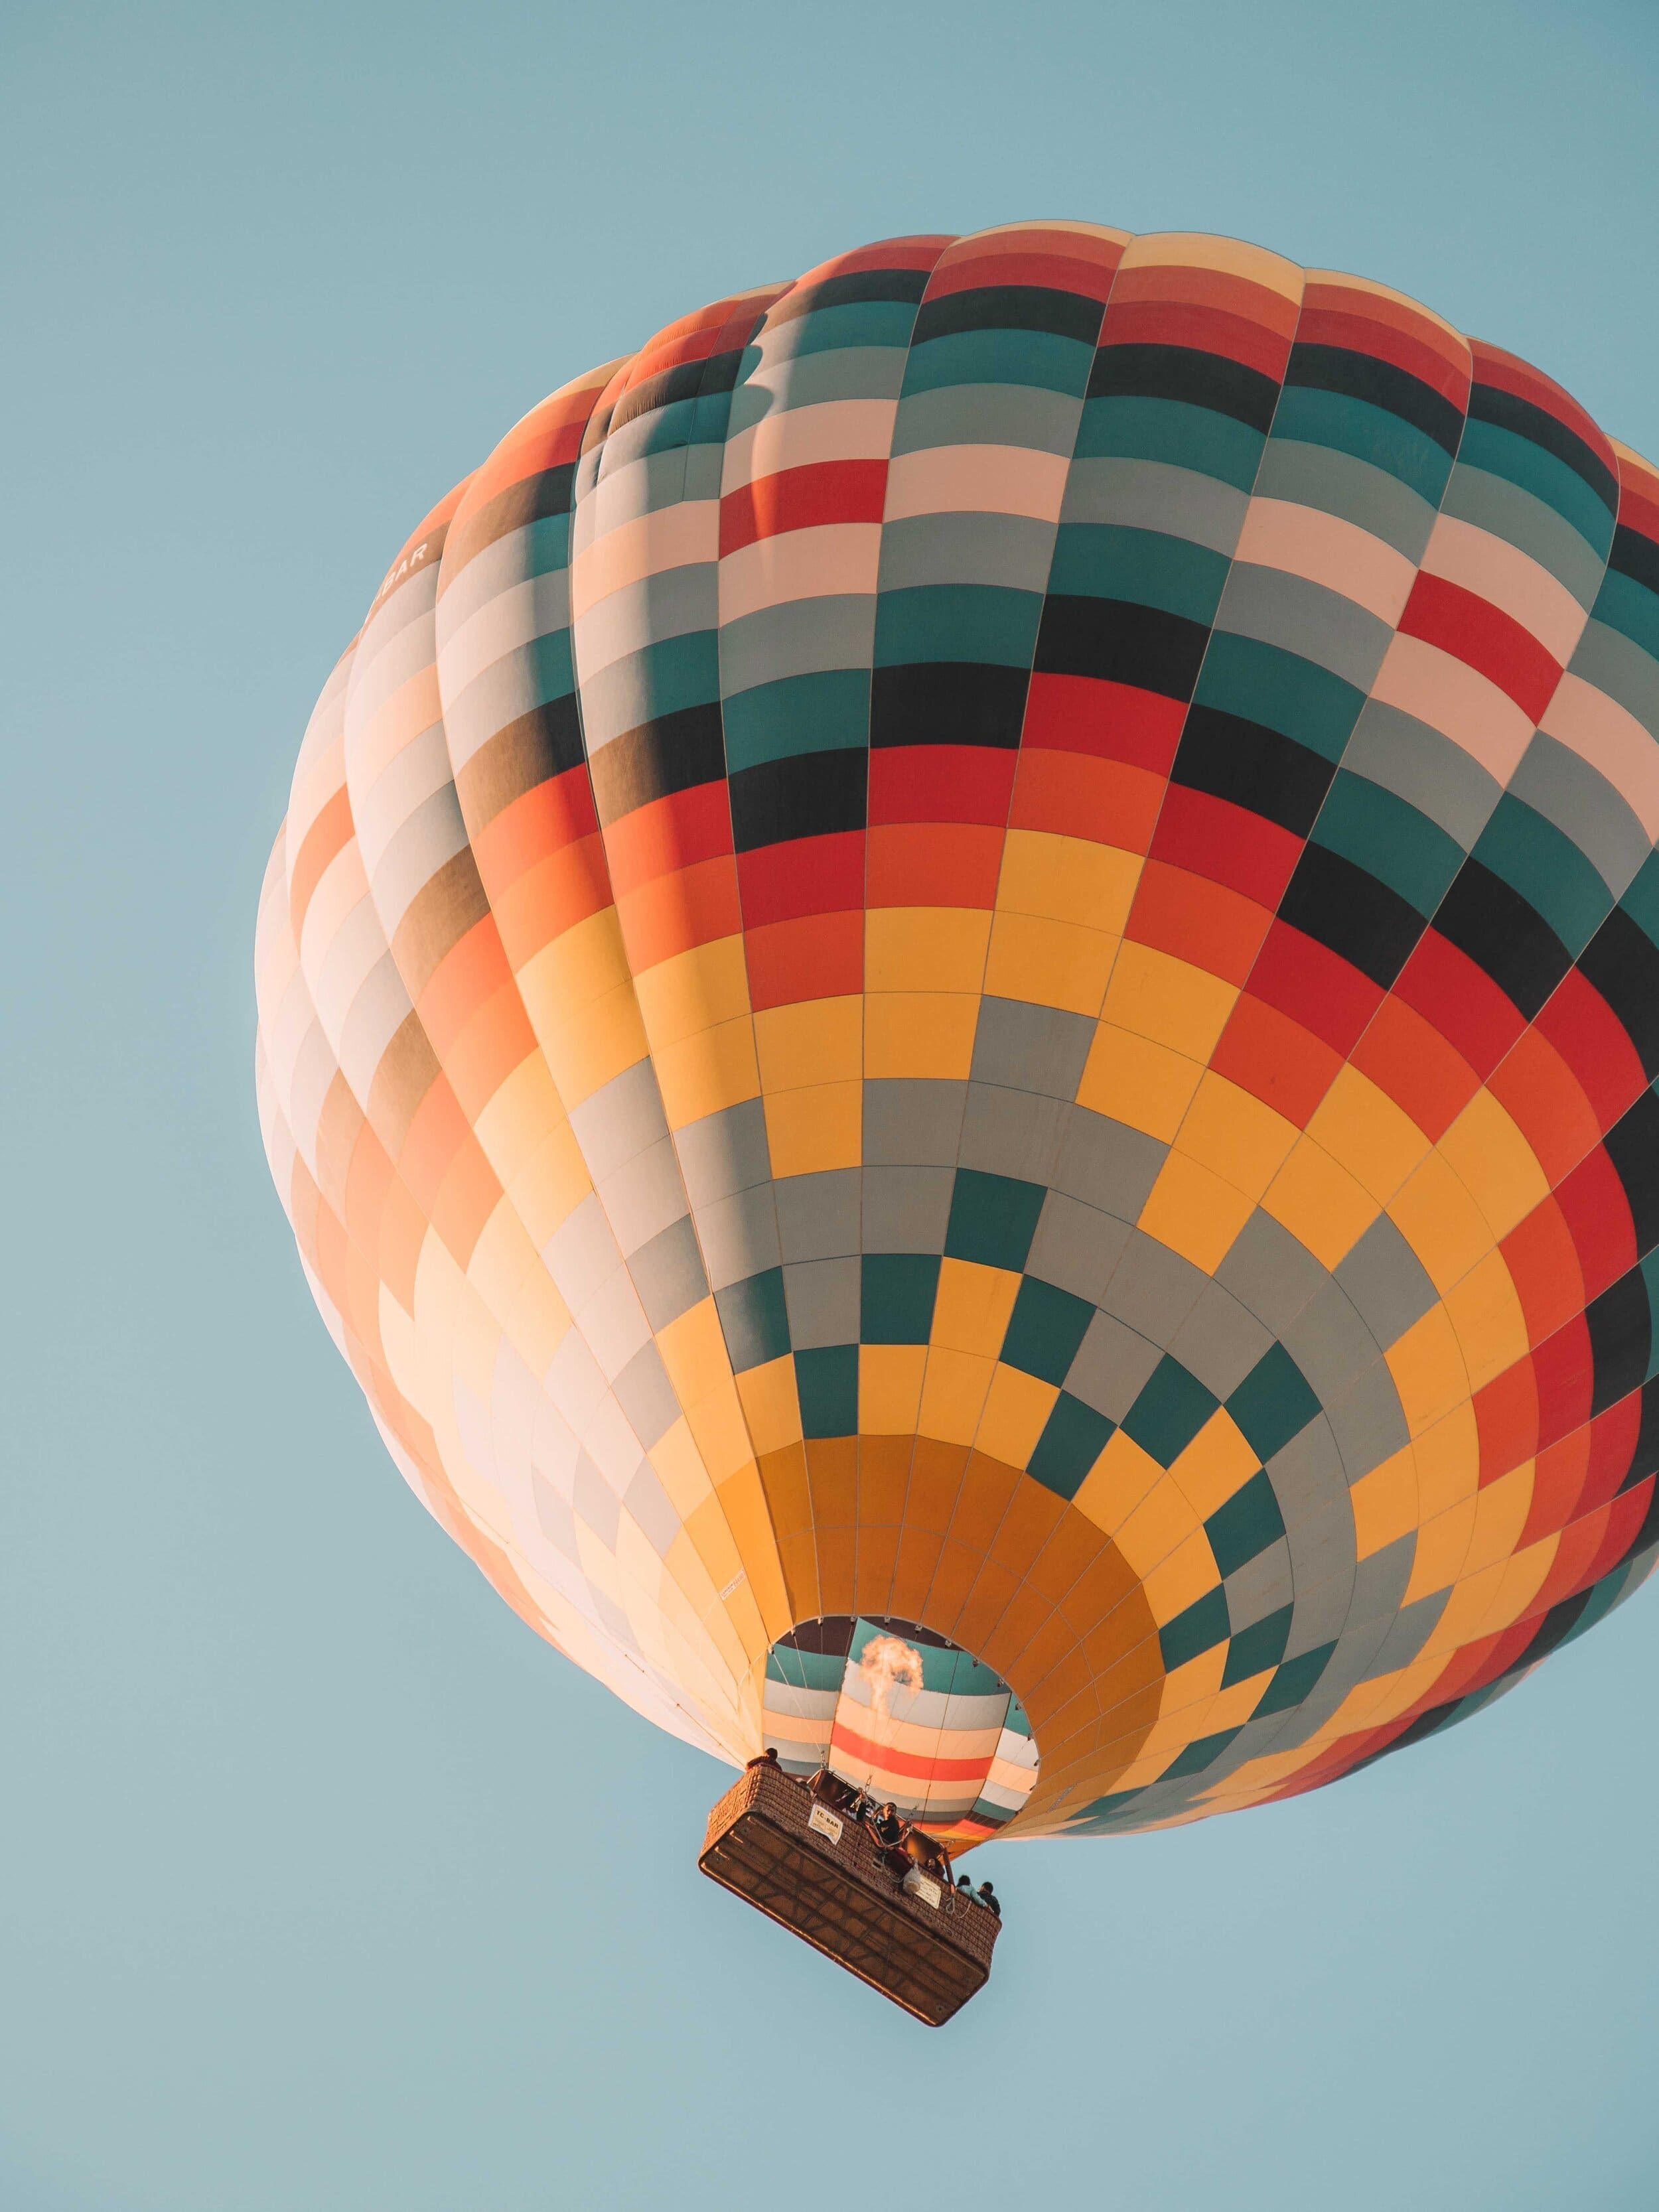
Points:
[824,1877]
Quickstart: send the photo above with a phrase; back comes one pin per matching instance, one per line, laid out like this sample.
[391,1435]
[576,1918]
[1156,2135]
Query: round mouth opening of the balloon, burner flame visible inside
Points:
[906,1715]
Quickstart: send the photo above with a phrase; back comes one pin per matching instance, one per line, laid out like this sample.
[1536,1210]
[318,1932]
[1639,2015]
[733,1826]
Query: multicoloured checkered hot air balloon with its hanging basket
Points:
[957,1012]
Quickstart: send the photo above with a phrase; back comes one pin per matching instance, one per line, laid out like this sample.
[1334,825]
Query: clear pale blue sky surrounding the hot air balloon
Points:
[324,1886]
